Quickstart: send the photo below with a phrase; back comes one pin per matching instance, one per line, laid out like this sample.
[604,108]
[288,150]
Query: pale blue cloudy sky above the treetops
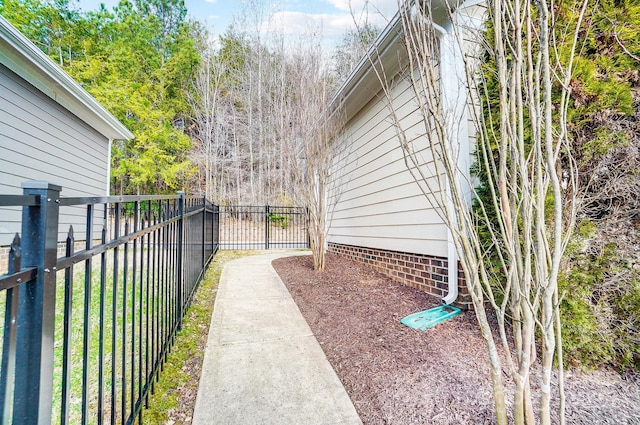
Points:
[329,18]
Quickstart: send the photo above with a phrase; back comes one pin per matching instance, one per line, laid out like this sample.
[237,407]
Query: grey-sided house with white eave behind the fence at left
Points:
[51,129]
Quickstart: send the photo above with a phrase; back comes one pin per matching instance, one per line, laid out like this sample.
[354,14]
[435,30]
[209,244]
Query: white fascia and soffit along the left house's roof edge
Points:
[22,57]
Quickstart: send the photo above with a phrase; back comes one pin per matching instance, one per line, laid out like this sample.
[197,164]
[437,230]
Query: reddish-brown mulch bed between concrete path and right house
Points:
[396,375]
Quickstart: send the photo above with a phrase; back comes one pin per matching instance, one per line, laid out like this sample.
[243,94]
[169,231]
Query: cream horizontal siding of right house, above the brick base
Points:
[377,203]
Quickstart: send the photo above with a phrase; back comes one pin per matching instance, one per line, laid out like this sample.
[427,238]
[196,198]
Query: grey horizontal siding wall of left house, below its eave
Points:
[40,140]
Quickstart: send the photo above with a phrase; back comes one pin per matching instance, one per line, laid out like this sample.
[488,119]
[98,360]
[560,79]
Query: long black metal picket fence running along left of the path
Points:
[85,335]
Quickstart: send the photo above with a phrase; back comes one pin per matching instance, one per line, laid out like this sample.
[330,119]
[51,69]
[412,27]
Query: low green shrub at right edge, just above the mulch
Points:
[600,309]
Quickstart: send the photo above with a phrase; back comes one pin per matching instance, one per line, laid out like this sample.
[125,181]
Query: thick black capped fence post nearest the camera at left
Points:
[36,307]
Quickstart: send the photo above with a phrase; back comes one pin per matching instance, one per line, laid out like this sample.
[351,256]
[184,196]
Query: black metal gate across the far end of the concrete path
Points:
[263,227]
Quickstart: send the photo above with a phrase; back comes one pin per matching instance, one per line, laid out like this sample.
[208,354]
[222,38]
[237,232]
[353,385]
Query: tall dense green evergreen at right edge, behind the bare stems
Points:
[600,309]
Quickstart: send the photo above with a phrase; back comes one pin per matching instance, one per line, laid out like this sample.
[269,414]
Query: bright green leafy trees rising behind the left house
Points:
[138,61]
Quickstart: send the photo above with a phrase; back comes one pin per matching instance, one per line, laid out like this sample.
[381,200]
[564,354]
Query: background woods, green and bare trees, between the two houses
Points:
[215,117]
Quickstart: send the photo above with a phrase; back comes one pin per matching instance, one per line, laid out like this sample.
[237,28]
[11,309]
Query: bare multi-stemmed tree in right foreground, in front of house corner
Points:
[519,138]
